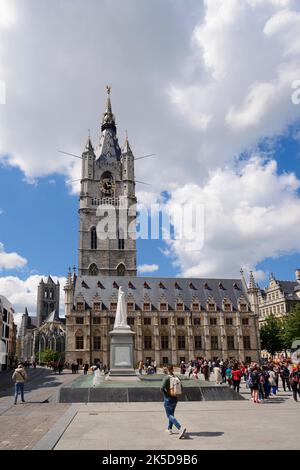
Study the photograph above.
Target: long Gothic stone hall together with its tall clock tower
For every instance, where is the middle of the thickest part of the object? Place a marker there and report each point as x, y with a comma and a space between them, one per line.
174, 319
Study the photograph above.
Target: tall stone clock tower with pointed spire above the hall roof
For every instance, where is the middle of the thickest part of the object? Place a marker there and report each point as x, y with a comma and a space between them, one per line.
107, 209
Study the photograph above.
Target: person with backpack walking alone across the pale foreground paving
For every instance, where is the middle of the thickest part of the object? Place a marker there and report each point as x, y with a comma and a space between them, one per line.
172, 388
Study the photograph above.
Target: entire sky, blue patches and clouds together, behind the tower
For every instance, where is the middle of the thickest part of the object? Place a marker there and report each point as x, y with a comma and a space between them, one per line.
206, 86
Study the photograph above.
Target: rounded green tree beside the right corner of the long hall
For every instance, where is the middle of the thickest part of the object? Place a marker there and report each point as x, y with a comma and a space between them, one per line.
271, 335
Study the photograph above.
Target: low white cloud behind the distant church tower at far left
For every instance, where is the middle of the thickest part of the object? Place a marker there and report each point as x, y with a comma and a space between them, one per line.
23, 293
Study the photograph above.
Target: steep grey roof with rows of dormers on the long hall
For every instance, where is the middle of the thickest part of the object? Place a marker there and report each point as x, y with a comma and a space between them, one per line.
171, 289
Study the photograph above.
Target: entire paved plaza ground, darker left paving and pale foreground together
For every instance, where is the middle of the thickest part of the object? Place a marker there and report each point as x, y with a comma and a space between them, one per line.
42, 423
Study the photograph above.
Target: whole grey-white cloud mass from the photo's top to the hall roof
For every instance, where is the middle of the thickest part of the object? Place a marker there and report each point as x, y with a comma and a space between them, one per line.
211, 83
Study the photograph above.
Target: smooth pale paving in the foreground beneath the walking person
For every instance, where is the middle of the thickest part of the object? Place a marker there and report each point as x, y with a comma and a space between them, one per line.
211, 425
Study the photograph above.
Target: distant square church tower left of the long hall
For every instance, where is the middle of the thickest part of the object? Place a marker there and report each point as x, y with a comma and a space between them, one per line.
47, 299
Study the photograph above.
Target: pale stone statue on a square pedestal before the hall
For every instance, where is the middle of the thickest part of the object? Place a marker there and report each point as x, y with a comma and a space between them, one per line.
121, 343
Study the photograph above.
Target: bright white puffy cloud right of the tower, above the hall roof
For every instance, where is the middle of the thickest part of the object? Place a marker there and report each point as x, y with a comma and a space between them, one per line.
242, 226
